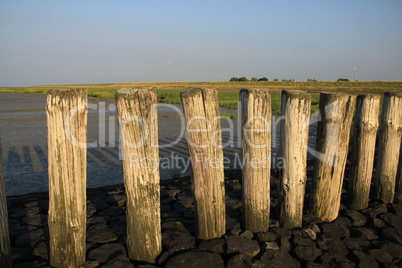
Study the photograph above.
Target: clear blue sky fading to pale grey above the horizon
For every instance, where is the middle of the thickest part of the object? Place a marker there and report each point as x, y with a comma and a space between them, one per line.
101, 41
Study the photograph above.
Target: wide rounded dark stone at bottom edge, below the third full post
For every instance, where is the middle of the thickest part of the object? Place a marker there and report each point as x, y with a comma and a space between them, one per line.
196, 259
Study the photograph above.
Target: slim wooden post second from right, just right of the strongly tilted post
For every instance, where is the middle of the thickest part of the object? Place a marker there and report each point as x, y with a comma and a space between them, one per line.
364, 139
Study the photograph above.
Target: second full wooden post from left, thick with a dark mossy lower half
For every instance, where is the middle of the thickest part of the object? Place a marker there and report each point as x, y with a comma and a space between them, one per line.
139, 140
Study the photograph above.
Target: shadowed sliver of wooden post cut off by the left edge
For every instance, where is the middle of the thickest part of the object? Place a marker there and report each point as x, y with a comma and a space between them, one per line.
5, 246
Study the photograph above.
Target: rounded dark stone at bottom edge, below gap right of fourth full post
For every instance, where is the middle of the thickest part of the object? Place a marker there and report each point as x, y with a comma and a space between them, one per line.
278, 259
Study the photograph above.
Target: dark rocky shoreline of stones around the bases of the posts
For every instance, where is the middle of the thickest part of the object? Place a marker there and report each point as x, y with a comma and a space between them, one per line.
368, 238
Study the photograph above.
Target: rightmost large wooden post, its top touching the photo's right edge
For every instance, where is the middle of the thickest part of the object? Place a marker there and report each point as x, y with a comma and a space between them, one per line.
388, 148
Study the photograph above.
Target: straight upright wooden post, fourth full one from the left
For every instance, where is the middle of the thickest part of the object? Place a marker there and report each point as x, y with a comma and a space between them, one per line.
256, 154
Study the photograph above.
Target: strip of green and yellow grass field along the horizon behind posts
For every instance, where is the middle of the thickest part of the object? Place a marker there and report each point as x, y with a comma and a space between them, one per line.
169, 92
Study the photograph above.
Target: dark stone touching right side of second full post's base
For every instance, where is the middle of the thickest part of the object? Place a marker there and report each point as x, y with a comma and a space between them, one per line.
175, 240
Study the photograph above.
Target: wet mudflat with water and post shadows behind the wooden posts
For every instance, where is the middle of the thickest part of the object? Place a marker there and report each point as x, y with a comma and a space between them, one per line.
23, 134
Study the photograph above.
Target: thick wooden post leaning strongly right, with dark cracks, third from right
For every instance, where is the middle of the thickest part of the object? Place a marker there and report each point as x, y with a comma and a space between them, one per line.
336, 112
